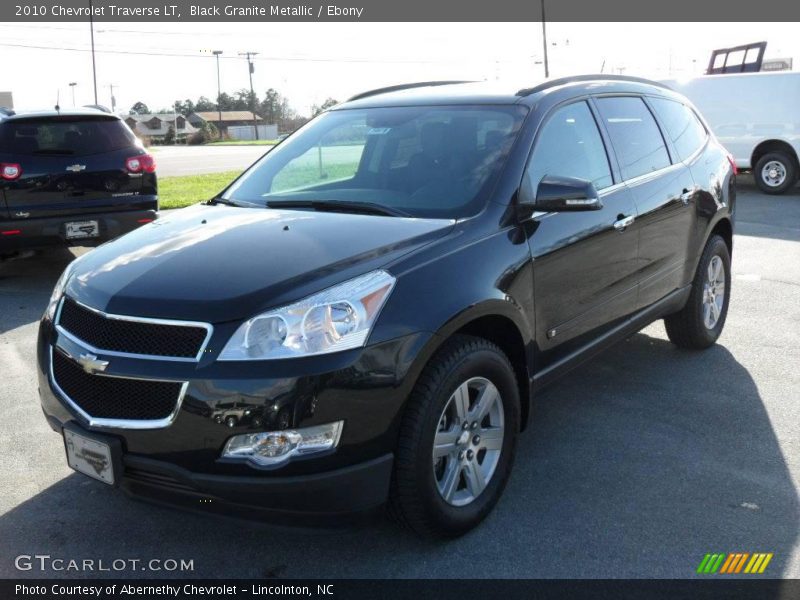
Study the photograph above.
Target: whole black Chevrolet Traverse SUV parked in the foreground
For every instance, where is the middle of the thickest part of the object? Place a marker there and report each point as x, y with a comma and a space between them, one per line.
364, 315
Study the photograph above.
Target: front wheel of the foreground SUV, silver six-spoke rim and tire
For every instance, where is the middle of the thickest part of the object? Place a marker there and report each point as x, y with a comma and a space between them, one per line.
457, 440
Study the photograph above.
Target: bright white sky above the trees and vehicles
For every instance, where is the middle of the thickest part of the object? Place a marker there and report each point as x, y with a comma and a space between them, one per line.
307, 62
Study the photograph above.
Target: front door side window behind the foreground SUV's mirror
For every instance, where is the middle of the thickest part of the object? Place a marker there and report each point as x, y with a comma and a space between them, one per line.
570, 145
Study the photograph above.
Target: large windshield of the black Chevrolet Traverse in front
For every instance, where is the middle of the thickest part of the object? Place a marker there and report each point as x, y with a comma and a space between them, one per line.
431, 161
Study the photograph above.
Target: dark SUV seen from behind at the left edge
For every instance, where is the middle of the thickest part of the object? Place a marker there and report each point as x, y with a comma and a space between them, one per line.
75, 176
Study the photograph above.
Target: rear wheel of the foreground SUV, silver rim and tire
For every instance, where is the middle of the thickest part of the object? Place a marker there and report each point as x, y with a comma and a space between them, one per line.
700, 322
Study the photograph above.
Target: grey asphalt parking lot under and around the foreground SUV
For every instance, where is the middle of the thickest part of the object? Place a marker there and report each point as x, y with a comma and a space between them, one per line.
635, 465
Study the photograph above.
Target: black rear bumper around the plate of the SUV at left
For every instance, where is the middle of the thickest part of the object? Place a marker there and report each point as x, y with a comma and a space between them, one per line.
50, 231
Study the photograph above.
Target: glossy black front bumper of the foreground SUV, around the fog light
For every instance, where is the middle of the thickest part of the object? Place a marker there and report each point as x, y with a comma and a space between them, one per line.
180, 464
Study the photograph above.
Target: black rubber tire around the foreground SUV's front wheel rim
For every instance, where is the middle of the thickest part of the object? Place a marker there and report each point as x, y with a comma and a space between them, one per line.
415, 500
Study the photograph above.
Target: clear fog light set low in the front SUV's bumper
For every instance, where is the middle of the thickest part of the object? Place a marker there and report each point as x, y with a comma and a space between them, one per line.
271, 448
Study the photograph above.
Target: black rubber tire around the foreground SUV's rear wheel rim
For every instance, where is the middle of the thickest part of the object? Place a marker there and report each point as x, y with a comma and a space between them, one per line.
686, 328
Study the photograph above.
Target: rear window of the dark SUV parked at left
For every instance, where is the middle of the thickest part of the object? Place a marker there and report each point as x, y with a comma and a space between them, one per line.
65, 136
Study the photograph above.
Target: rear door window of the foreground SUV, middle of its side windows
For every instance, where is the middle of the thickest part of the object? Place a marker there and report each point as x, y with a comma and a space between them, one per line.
634, 134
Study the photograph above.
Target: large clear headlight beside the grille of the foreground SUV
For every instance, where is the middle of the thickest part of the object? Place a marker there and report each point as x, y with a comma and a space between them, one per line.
339, 318
